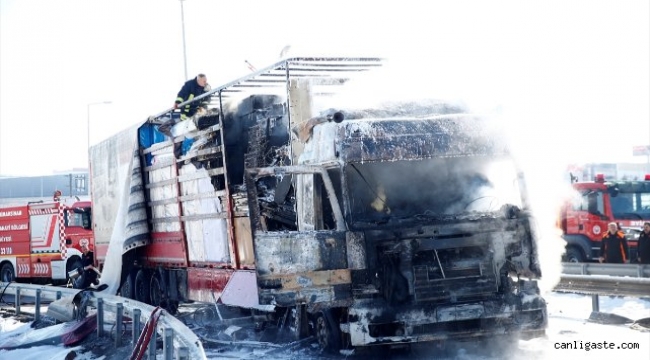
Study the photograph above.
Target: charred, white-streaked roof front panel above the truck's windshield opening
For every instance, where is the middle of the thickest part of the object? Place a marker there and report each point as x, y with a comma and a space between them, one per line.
392, 140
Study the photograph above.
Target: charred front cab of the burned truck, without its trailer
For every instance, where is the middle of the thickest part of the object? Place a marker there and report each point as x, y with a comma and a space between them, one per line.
409, 229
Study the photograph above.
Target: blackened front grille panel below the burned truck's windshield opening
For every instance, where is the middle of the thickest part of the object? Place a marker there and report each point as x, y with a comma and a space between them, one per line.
452, 262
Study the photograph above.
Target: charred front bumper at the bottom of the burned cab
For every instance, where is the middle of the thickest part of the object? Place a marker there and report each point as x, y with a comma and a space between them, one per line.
374, 323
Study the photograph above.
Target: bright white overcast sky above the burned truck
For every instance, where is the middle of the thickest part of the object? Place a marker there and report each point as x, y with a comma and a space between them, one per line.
572, 76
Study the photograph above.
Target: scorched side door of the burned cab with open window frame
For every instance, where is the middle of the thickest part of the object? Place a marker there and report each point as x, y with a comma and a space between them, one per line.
308, 264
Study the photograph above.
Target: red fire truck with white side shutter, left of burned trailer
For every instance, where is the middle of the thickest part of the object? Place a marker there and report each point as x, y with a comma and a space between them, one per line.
40, 241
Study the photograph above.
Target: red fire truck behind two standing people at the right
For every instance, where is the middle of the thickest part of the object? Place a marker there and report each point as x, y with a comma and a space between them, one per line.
584, 217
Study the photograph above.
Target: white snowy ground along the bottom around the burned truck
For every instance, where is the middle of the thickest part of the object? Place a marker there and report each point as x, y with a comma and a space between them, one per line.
568, 314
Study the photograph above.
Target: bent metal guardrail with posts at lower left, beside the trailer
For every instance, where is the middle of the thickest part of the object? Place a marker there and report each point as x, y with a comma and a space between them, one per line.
174, 332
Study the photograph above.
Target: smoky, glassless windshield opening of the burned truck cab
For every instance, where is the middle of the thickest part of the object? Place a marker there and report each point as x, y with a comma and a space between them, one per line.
440, 186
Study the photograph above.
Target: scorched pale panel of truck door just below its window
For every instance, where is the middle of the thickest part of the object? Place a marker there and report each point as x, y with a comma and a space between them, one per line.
299, 252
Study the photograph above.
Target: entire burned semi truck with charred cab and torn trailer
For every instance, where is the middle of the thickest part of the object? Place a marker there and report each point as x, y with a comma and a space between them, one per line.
393, 225
